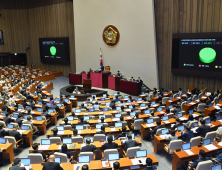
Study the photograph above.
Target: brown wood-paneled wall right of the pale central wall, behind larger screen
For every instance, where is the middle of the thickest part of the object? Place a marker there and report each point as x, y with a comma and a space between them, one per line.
184, 16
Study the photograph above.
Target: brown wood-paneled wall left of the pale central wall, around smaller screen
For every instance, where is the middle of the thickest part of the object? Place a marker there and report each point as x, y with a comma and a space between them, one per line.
24, 22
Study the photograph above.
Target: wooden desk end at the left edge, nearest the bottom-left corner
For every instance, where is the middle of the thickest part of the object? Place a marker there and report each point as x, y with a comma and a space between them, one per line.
8, 152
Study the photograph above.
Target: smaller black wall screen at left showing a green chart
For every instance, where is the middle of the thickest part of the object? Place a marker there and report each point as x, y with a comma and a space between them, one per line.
54, 50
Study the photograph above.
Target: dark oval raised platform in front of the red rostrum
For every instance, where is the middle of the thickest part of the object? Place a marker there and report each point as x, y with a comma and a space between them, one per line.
67, 90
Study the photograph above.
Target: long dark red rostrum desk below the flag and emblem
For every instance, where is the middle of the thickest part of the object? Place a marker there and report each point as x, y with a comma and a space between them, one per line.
105, 80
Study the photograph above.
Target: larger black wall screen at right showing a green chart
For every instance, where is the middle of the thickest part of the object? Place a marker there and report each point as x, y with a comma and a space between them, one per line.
197, 54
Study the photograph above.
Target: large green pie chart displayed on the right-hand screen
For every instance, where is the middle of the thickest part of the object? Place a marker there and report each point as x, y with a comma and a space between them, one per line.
207, 55
